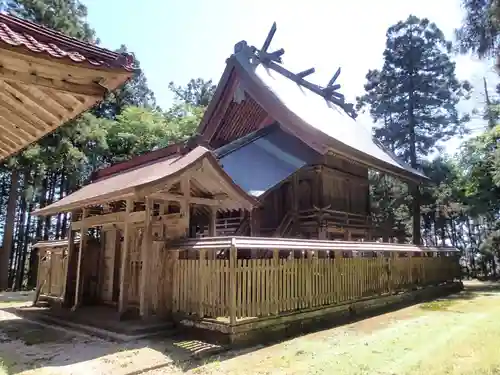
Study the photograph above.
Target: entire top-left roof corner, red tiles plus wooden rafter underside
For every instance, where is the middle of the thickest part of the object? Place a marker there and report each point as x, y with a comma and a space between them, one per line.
47, 78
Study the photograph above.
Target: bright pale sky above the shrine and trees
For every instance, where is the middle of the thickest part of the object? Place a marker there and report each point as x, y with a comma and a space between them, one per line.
180, 40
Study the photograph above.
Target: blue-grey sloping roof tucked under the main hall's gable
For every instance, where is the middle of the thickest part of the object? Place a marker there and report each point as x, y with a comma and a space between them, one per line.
273, 154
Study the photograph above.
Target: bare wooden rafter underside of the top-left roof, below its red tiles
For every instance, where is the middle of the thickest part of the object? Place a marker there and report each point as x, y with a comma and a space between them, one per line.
38, 94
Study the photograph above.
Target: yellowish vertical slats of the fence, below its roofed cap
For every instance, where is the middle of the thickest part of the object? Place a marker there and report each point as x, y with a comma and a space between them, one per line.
272, 286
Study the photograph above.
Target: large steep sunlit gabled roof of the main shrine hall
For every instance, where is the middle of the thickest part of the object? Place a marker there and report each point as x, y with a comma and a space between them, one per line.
316, 121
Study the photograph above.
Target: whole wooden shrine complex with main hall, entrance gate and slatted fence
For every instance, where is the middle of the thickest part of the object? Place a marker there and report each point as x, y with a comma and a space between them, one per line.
237, 224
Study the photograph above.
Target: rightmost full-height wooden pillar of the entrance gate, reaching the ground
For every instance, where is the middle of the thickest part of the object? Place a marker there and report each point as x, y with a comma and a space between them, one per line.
146, 250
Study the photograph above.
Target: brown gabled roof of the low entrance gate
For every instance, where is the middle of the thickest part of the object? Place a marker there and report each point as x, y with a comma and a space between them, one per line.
204, 169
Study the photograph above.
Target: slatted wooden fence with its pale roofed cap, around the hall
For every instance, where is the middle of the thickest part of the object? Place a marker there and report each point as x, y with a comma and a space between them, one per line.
309, 277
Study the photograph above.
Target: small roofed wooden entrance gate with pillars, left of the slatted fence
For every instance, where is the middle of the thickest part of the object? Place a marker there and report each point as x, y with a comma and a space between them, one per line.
133, 210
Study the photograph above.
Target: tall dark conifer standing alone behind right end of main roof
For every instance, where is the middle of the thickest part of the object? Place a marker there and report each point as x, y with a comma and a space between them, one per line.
414, 97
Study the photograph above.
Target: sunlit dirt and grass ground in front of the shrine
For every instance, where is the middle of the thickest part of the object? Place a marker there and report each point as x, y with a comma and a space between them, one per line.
456, 335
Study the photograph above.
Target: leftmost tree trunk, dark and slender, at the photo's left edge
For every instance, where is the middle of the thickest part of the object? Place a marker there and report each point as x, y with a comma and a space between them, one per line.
8, 230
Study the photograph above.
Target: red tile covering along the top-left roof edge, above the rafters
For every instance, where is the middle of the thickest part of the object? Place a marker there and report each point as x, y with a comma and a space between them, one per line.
24, 35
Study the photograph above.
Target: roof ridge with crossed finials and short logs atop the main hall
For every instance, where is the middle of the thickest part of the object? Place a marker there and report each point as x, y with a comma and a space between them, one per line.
272, 59
